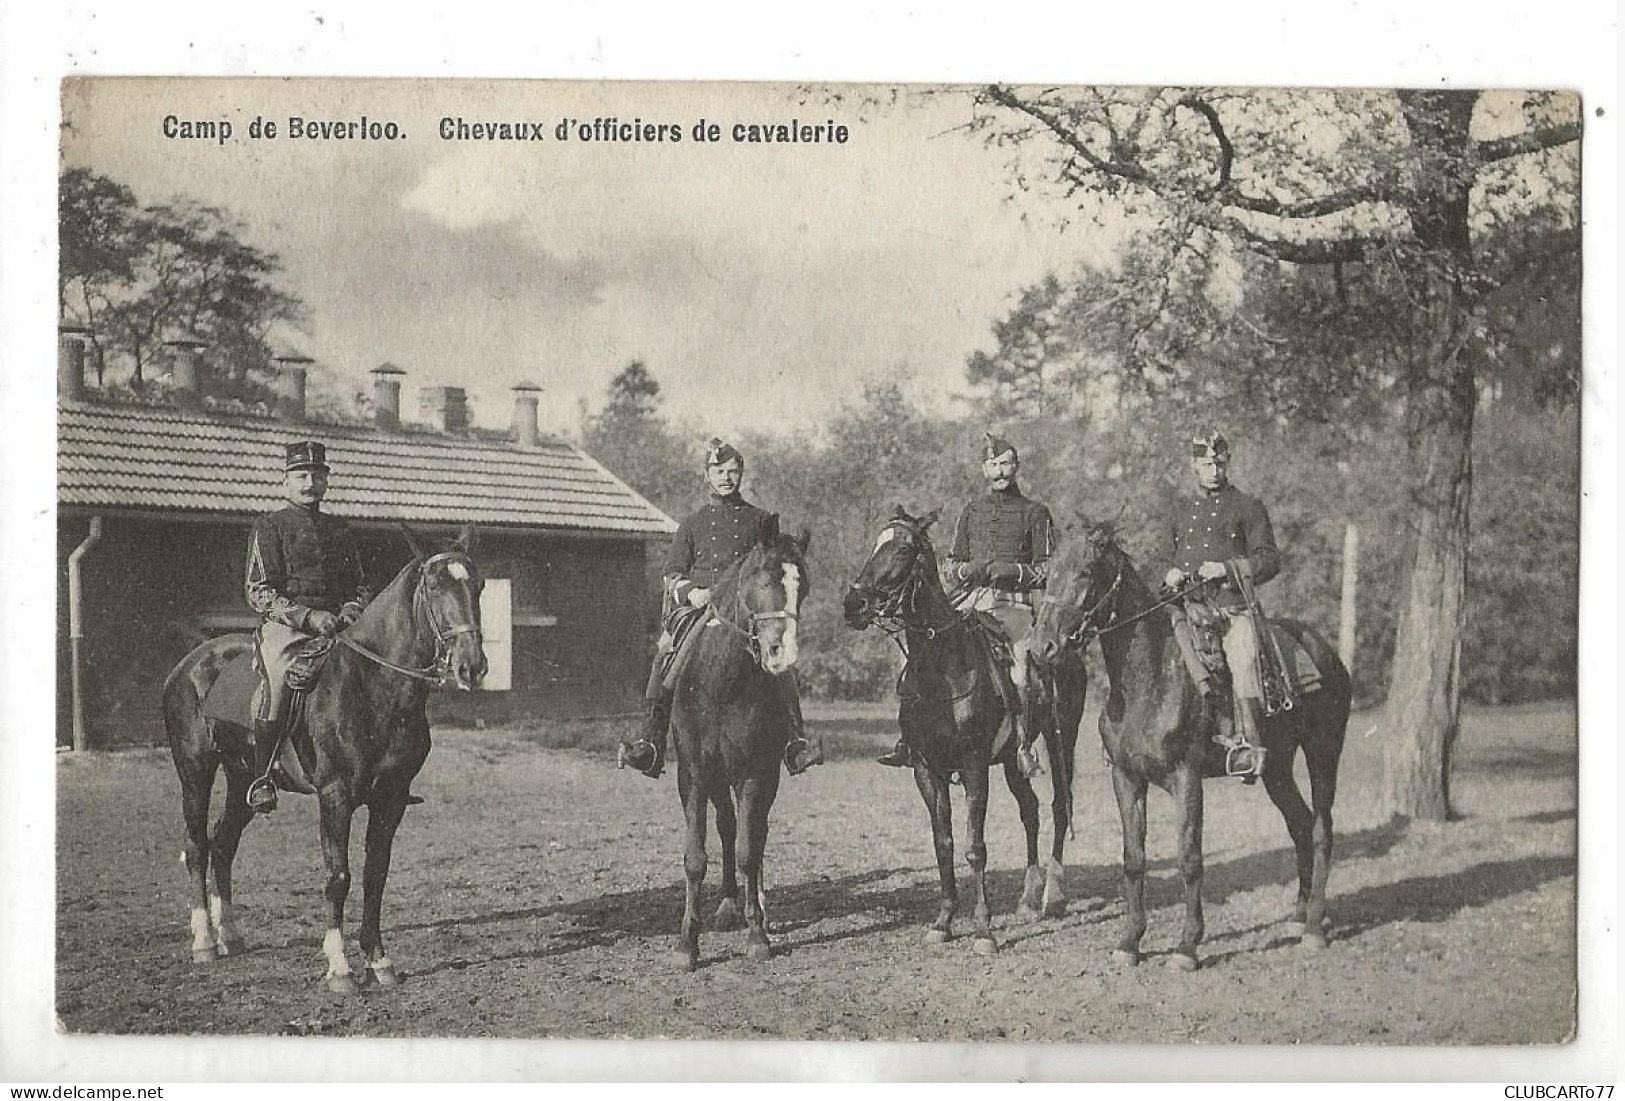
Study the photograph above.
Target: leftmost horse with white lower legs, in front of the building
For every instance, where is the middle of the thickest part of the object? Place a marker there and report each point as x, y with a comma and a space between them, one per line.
365, 738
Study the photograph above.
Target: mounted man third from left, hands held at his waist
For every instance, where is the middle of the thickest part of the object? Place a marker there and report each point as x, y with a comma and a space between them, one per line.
997, 564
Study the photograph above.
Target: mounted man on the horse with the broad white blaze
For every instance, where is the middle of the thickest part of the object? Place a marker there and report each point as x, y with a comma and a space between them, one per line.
706, 546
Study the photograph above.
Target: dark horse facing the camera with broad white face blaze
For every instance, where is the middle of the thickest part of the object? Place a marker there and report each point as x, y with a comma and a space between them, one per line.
730, 728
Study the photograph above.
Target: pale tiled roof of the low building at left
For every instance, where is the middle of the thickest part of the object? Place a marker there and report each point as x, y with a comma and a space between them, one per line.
173, 460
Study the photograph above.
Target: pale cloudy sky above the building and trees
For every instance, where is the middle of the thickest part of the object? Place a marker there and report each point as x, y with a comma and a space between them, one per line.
763, 285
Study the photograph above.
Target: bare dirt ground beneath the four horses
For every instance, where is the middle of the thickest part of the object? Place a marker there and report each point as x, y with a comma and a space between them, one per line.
539, 892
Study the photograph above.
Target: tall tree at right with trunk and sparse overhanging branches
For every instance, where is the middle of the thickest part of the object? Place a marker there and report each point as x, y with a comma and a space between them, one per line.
1395, 184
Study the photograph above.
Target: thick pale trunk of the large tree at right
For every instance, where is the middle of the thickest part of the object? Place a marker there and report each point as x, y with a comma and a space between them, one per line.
1424, 696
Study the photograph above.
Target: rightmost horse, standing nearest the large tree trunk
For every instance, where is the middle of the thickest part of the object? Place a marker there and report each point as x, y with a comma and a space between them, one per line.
1158, 728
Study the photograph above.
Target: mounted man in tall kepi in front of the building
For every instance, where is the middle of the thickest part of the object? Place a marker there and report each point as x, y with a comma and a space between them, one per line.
305, 579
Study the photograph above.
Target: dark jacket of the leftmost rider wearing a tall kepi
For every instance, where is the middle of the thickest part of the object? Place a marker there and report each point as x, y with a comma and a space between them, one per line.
303, 561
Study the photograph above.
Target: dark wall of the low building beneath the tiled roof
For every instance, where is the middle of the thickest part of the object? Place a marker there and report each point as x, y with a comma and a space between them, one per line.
155, 589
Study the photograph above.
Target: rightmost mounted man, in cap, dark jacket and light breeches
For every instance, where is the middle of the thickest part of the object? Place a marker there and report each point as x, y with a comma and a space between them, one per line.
1221, 537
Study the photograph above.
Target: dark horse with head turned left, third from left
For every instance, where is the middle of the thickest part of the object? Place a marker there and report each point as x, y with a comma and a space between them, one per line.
953, 717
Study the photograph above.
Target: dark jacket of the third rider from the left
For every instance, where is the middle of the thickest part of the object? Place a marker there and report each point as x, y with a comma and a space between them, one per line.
1013, 533
